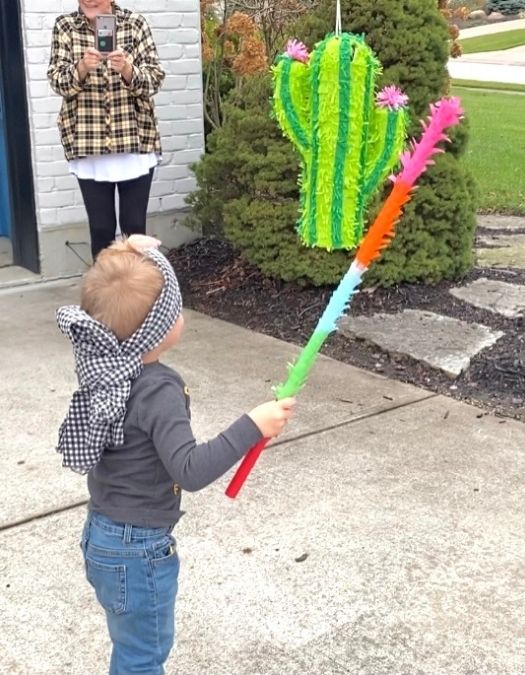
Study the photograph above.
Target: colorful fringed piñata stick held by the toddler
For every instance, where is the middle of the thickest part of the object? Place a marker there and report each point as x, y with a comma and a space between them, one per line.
444, 114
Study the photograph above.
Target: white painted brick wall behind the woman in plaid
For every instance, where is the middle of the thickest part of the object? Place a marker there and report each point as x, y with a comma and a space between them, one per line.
178, 104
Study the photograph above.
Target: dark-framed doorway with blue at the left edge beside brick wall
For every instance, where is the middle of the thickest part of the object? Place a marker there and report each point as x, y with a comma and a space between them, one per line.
18, 230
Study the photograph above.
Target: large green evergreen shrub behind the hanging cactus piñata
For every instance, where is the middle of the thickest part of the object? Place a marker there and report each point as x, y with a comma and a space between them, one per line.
248, 180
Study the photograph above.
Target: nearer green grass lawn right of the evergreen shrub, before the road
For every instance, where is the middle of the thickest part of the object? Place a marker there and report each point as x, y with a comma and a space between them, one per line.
496, 151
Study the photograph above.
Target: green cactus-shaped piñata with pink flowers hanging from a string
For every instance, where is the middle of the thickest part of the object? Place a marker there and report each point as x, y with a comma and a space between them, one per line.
348, 140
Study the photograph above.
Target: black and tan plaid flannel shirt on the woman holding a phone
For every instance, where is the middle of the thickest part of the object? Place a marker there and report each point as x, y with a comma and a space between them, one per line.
102, 114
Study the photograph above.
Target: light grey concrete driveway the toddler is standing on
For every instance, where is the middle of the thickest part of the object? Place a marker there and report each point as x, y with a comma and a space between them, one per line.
383, 535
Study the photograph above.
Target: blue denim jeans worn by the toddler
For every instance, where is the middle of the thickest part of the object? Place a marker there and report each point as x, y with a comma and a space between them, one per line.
134, 572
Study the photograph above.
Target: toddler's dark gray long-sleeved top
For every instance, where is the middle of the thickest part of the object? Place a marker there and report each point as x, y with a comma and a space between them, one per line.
140, 482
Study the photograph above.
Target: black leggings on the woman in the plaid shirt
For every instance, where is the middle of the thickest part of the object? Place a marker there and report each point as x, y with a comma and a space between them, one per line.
99, 200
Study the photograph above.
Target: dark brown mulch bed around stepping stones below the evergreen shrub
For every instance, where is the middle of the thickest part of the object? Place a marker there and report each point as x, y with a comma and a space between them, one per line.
219, 282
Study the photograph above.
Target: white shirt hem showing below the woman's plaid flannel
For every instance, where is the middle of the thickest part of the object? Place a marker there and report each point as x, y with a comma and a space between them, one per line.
113, 168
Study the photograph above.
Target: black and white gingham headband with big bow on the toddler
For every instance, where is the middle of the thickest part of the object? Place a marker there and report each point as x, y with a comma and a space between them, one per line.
106, 368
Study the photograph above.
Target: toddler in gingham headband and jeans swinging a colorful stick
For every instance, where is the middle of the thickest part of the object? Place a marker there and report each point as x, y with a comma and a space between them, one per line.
128, 428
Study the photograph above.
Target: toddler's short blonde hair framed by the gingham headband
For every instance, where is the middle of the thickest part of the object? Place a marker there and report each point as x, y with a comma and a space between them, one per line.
121, 288
